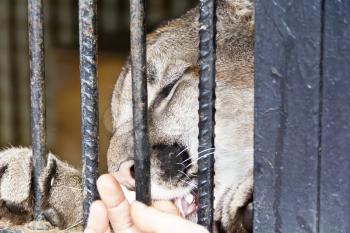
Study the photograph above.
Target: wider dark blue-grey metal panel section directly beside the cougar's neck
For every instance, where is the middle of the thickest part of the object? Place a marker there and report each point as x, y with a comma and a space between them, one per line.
287, 106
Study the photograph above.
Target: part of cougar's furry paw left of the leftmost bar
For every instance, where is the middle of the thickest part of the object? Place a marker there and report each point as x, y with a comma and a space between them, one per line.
15, 186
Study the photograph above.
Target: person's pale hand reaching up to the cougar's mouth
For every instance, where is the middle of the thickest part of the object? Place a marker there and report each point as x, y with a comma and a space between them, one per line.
136, 217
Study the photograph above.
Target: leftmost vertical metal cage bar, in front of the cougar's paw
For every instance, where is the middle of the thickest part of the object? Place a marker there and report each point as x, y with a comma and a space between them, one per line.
37, 83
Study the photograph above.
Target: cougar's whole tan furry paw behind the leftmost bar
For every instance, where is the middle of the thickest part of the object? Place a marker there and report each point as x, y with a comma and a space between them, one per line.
61, 188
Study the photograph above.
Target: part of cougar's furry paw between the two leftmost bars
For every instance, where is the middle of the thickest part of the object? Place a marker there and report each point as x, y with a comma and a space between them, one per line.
61, 185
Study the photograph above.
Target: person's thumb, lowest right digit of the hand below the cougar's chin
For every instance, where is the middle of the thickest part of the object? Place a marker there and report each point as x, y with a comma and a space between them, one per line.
151, 220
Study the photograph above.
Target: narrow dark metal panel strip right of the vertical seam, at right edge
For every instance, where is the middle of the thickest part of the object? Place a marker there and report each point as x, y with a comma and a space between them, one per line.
335, 160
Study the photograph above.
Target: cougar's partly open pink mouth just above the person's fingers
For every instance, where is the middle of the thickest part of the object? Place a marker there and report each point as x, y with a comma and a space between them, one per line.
187, 205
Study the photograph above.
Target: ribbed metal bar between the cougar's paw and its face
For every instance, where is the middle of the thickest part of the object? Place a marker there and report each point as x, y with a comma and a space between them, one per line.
89, 100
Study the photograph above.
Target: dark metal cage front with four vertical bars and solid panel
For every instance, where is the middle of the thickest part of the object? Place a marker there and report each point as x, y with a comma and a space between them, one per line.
302, 108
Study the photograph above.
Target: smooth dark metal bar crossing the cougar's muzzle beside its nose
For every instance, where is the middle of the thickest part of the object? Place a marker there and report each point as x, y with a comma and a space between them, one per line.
139, 99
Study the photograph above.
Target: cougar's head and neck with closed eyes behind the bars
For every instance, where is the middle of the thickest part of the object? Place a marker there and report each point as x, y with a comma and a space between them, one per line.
172, 77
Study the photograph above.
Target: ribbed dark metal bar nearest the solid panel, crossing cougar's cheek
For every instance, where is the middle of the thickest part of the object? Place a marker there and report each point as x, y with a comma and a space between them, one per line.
206, 123
